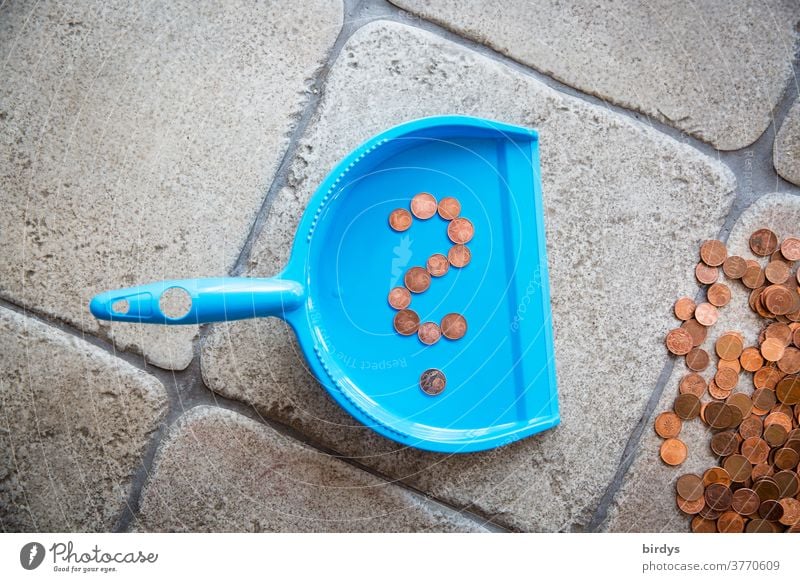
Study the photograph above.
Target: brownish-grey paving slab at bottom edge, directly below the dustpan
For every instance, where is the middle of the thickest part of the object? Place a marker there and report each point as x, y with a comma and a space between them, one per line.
220, 471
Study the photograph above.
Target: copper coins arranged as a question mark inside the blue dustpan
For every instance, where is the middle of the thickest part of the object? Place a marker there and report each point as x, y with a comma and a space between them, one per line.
418, 279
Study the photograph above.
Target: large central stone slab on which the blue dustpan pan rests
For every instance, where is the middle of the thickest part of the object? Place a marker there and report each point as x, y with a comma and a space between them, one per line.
624, 205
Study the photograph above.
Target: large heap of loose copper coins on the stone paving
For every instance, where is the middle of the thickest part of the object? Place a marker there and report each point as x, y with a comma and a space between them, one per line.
754, 431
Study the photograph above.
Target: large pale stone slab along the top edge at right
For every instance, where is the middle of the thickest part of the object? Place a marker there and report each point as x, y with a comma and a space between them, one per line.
712, 69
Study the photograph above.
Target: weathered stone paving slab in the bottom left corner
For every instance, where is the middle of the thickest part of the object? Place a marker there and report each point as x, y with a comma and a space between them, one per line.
74, 423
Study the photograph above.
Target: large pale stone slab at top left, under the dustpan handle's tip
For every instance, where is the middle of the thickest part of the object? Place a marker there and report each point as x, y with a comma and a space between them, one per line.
137, 142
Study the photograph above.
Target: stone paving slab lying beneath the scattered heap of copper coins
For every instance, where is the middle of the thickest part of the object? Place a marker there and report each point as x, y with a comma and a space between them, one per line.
646, 501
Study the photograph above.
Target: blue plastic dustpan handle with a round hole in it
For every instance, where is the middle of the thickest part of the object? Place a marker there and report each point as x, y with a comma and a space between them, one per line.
212, 300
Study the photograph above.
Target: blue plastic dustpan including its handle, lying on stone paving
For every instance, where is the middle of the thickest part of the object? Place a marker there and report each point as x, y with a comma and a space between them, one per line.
501, 383
